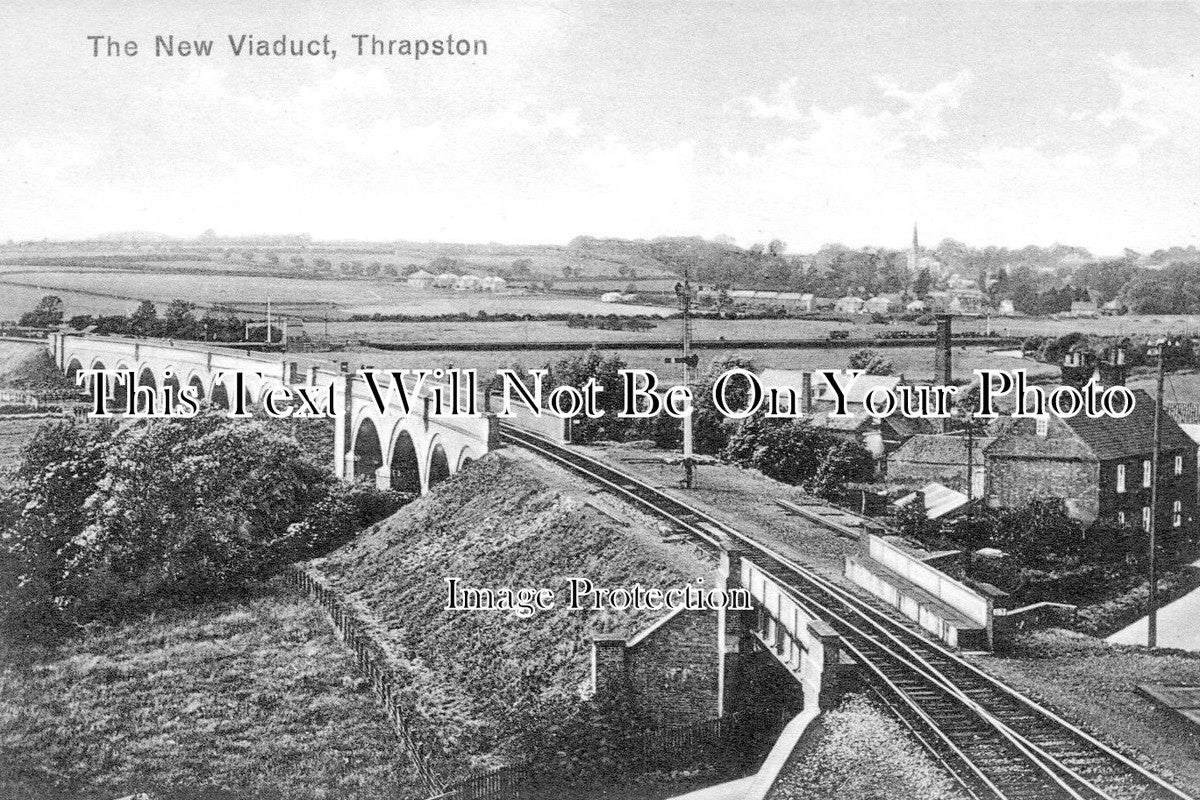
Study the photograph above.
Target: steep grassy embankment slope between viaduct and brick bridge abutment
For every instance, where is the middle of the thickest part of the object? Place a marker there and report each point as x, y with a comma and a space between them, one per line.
507, 521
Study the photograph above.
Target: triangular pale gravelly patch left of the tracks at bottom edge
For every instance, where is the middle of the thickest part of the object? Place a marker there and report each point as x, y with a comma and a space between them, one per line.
857, 753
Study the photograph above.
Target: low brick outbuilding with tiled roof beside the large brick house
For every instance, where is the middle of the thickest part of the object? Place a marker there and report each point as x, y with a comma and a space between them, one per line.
941, 459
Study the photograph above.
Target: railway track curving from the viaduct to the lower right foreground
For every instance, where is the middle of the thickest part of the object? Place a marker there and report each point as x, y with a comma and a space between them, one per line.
995, 742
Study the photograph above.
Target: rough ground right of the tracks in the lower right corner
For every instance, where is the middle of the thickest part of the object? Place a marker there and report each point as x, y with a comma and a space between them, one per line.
1093, 684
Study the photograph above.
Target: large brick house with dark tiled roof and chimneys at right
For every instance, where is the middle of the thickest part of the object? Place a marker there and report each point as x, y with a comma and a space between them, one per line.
1101, 468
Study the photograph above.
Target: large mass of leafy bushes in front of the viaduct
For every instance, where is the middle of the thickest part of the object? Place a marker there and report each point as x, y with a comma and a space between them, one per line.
103, 518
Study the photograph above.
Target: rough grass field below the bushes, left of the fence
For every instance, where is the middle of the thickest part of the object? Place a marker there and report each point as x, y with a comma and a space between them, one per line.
248, 699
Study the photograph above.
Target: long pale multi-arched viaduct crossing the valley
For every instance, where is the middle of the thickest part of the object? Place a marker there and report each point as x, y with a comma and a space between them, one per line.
410, 453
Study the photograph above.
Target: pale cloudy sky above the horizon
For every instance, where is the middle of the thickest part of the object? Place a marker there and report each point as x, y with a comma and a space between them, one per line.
812, 123
